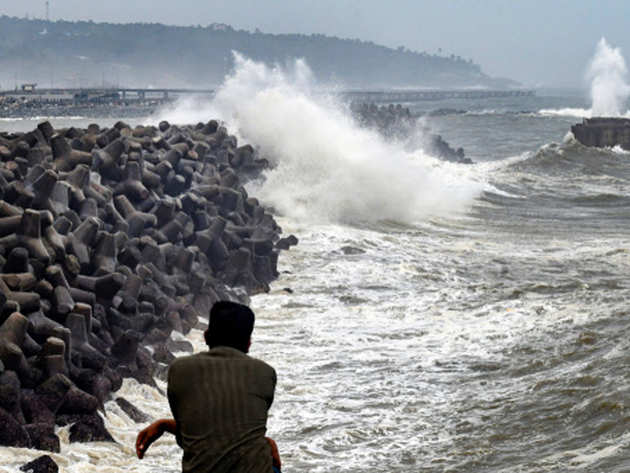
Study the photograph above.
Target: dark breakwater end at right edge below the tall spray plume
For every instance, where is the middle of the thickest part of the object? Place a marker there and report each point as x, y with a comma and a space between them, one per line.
603, 132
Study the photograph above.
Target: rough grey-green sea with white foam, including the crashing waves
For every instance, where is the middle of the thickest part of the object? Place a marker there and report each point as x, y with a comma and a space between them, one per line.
434, 317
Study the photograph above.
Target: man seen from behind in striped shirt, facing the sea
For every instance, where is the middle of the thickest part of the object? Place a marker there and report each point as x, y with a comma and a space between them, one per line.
219, 400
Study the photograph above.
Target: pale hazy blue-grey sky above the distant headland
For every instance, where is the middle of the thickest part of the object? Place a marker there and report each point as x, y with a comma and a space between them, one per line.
539, 42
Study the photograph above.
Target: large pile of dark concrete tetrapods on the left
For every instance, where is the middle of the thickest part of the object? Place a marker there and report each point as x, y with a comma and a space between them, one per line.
111, 240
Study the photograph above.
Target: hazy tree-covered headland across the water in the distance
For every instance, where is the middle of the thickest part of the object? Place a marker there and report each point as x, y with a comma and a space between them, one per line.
88, 54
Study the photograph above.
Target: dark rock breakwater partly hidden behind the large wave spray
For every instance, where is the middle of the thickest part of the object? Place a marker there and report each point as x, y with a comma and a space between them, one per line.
398, 123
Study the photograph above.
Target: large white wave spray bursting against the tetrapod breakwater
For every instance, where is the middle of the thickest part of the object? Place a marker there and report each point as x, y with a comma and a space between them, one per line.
324, 166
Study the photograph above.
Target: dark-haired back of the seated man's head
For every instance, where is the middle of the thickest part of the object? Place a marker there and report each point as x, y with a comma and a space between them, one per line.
231, 325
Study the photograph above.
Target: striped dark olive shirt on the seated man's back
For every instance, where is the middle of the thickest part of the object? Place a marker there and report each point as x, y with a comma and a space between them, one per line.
220, 399
